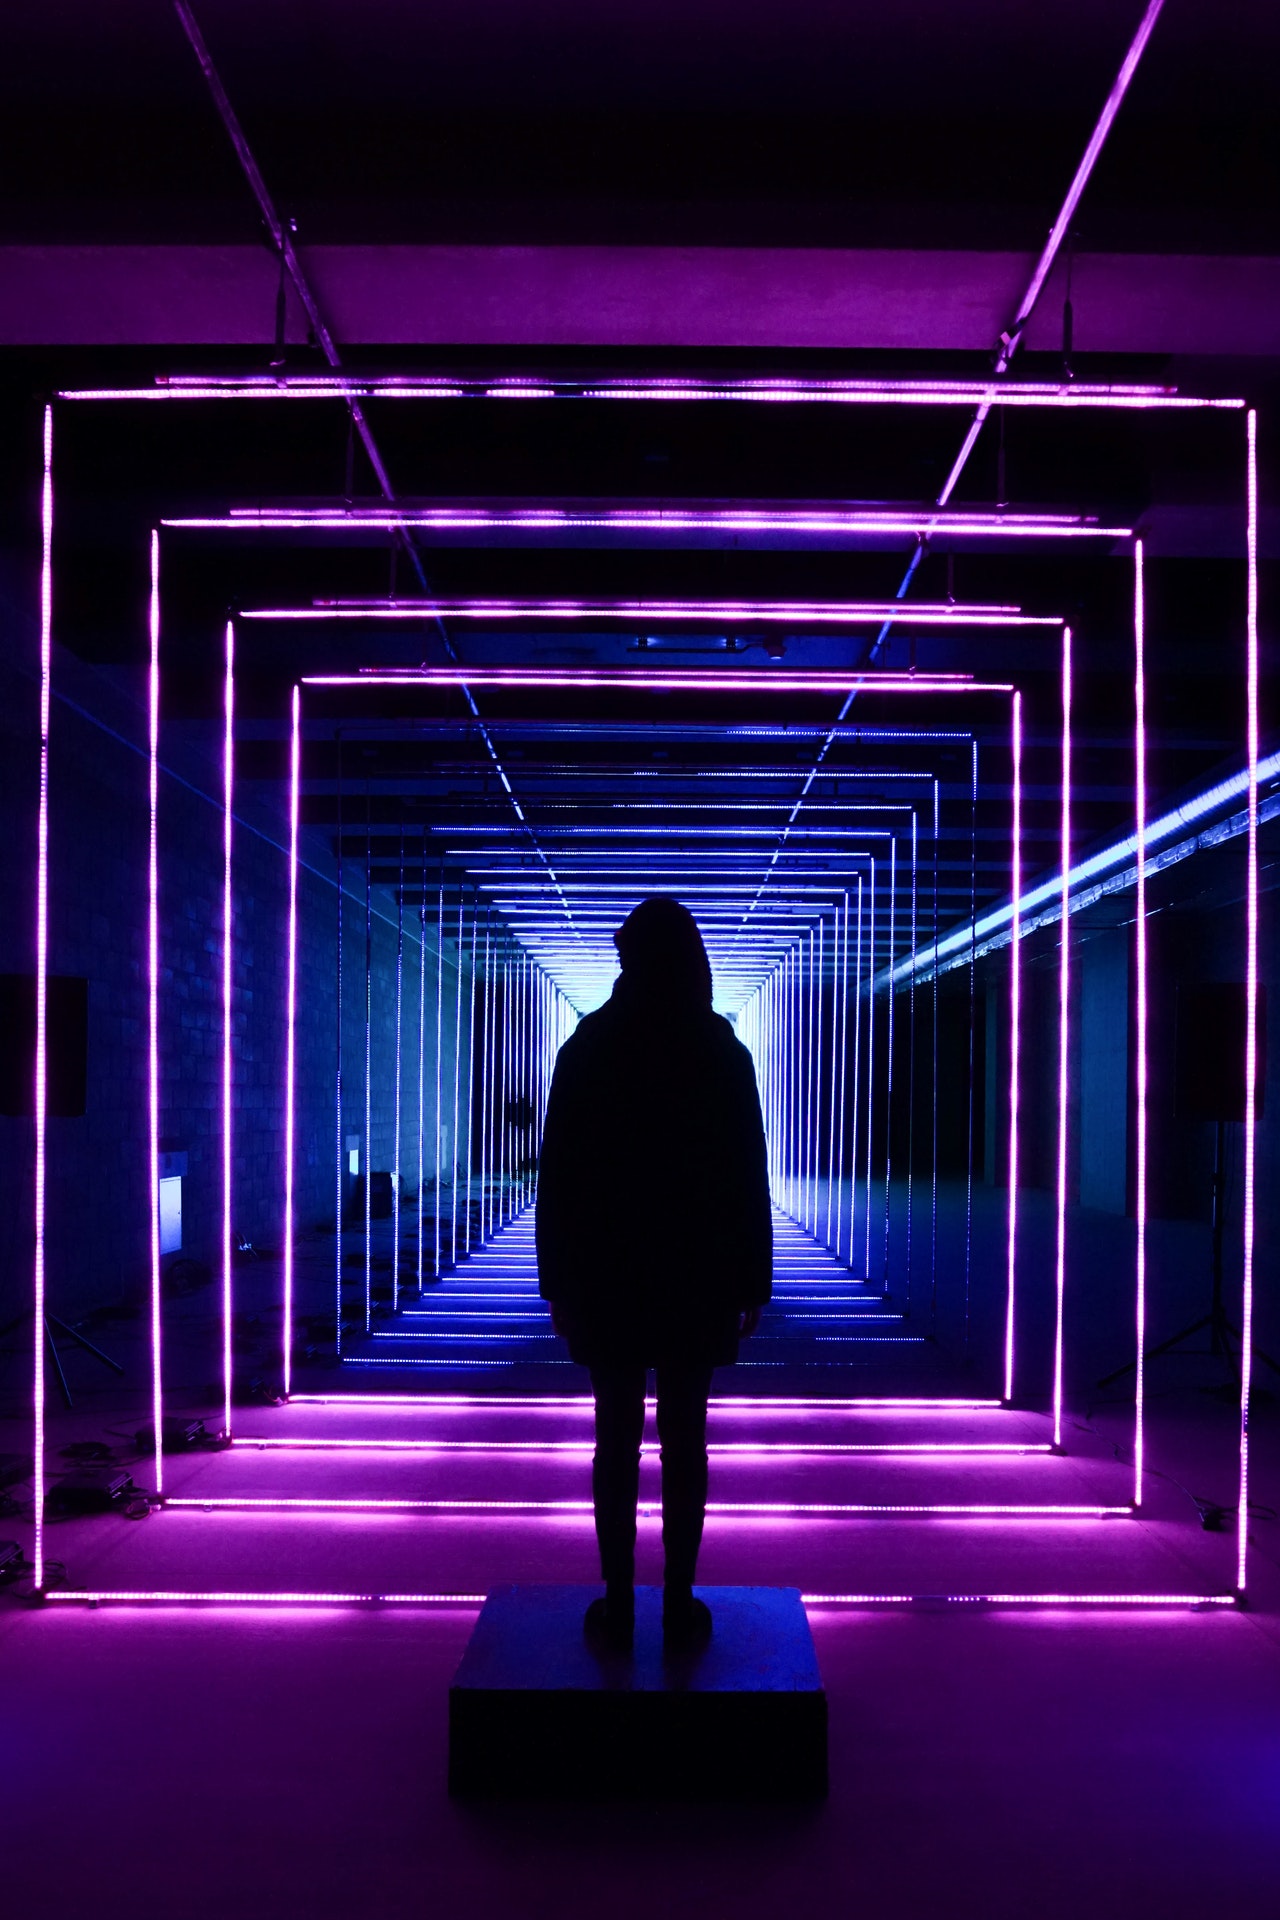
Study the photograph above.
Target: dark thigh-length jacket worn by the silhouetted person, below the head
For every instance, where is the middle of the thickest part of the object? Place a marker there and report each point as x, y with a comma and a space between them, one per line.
653, 1197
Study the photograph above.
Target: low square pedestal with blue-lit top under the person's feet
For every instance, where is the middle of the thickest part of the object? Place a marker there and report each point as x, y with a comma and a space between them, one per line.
538, 1714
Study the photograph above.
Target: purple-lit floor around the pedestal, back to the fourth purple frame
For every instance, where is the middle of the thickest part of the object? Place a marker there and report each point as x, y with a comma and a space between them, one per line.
291, 1762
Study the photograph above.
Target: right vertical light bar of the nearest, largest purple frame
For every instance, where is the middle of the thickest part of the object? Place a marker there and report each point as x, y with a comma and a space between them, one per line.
1250, 1032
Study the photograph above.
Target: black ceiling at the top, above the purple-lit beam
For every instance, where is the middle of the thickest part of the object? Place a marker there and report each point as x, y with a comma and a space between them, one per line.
782, 122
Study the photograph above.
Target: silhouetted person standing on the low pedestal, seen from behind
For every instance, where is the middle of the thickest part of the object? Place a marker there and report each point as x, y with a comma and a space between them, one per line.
655, 1239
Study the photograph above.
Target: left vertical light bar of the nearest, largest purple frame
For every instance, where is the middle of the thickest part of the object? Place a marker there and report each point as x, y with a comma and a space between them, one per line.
41, 1063
